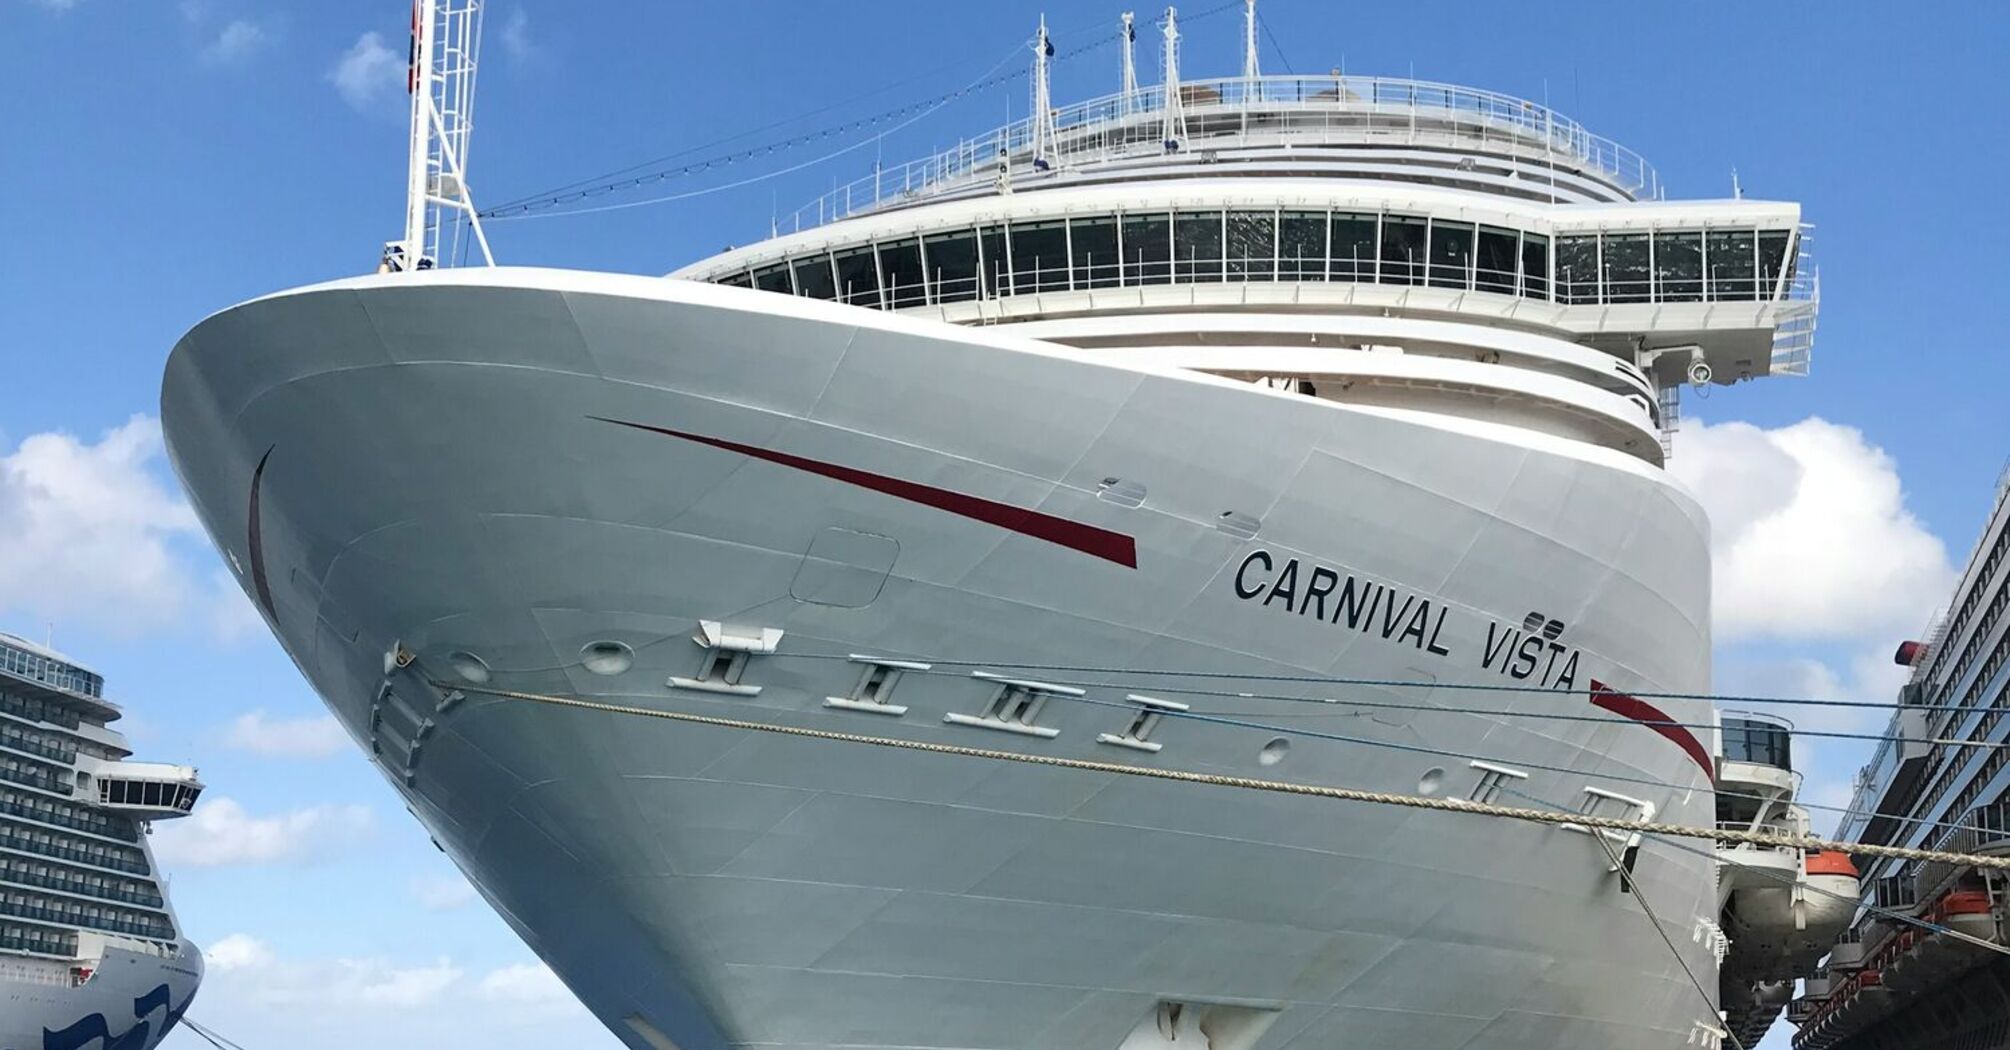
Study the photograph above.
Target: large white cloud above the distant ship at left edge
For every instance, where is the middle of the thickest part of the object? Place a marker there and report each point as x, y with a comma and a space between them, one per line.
93, 534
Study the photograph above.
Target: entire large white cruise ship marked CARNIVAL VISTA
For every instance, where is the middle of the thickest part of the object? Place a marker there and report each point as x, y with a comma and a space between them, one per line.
869, 637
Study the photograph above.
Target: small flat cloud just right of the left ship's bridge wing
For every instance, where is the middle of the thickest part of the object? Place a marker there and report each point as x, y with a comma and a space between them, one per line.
224, 834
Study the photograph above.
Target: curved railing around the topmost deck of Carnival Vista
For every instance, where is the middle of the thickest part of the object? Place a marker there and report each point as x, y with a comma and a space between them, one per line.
1299, 110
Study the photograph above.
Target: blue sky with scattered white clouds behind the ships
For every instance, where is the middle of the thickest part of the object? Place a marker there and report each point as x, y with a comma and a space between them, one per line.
168, 160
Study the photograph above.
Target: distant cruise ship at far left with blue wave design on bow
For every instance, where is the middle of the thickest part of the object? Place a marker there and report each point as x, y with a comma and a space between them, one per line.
91, 956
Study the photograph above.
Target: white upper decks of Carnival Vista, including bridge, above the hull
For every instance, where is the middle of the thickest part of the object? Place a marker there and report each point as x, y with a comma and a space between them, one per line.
1384, 242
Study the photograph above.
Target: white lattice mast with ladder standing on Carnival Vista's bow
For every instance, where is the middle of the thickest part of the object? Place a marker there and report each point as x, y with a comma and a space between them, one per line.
445, 49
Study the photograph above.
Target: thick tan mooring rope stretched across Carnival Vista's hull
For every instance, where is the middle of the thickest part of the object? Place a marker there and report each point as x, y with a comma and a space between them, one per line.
1255, 783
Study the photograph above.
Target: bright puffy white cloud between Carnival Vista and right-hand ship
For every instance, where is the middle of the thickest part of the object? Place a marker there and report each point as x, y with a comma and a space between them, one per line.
1812, 534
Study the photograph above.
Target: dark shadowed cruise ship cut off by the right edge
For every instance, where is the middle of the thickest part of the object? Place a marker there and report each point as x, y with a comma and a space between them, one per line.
1923, 962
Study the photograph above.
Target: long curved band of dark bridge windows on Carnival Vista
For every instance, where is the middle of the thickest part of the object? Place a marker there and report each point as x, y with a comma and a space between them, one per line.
1139, 248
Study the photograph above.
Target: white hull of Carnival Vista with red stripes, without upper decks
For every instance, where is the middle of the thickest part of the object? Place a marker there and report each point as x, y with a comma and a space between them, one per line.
441, 488
